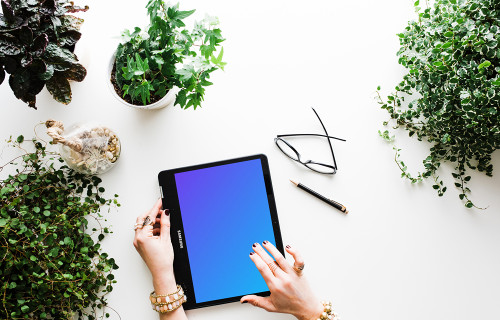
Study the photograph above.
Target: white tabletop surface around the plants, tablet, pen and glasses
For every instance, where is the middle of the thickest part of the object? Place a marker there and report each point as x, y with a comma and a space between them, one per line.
401, 253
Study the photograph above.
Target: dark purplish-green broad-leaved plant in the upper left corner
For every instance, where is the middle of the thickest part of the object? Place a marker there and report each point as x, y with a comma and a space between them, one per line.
36, 43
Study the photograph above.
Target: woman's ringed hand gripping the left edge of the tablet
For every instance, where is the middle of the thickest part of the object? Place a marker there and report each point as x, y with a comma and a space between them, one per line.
153, 244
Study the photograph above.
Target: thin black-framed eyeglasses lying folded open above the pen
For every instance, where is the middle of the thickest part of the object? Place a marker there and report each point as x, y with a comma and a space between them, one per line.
293, 154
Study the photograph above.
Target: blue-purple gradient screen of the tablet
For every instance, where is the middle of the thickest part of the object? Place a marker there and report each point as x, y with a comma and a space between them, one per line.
224, 211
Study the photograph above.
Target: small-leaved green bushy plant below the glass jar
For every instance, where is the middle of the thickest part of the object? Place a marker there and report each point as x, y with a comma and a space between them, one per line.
51, 267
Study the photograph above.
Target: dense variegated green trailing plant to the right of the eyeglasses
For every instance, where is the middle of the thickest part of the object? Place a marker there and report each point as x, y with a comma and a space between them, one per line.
452, 54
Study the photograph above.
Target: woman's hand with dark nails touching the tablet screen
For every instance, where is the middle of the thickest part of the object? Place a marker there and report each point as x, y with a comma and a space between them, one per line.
290, 292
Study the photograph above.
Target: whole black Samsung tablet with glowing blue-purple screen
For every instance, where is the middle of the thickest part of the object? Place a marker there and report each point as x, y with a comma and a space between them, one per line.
217, 211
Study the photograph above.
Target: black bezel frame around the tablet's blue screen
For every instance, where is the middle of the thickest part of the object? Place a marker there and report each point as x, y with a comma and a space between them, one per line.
170, 201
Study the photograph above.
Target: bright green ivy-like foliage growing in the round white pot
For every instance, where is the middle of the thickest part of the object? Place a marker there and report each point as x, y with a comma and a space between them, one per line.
168, 55
